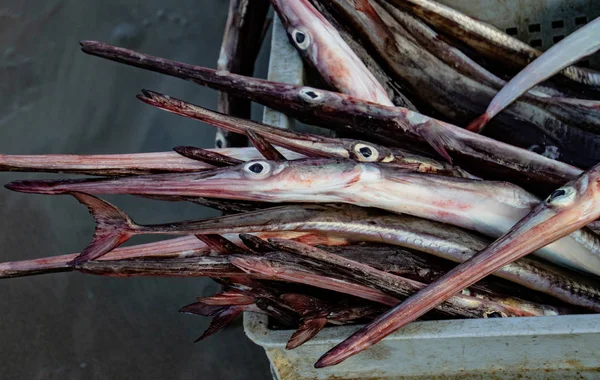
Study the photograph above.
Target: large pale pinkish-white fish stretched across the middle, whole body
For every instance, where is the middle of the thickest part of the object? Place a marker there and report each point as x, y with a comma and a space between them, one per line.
490, 208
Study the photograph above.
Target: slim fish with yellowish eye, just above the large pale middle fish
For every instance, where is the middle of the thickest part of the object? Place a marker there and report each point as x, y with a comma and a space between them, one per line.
305, 144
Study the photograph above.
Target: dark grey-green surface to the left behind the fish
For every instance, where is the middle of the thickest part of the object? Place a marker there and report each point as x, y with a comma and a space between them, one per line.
55, 99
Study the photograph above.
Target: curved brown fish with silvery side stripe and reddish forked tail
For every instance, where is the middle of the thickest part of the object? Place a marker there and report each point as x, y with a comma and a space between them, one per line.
347, 223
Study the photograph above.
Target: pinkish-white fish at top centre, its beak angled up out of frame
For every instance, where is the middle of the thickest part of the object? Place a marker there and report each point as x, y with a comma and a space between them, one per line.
323, 47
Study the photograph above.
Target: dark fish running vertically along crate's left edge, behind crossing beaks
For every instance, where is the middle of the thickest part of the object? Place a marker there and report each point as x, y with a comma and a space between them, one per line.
242, 39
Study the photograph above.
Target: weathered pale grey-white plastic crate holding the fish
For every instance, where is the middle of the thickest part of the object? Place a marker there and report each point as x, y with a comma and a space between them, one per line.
534, 348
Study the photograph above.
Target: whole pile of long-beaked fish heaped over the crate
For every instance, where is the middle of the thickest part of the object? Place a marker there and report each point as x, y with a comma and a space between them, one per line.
426, 204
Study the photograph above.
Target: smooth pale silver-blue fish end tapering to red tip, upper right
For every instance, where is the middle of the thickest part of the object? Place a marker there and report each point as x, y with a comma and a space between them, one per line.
576, 46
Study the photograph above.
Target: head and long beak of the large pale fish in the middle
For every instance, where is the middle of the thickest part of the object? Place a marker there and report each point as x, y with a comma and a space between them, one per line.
261, 180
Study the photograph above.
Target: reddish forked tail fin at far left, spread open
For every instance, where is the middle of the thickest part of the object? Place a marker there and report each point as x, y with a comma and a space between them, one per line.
113, 227
